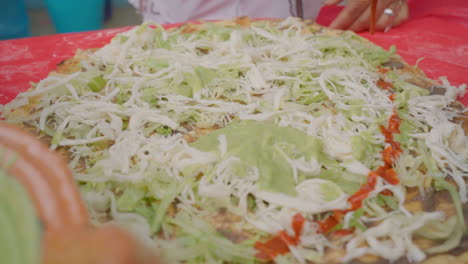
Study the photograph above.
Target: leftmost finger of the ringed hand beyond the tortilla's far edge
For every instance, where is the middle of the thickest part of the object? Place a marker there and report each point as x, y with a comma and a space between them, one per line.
349, 14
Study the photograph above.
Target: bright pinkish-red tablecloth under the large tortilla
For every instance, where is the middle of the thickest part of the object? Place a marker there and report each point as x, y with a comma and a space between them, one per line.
438, 32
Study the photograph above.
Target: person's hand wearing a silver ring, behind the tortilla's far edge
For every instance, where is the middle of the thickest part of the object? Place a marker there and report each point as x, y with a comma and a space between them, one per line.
356, 15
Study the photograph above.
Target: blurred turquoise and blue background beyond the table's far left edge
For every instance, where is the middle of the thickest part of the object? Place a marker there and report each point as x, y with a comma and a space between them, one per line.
25, 18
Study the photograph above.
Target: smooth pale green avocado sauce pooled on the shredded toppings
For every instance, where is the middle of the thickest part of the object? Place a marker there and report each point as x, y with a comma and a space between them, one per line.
266, 146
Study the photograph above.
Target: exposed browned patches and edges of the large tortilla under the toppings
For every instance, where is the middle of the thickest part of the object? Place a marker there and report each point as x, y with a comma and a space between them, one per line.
224, 222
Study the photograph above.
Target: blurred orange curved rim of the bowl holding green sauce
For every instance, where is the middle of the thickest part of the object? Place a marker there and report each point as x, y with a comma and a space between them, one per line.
46, 177
